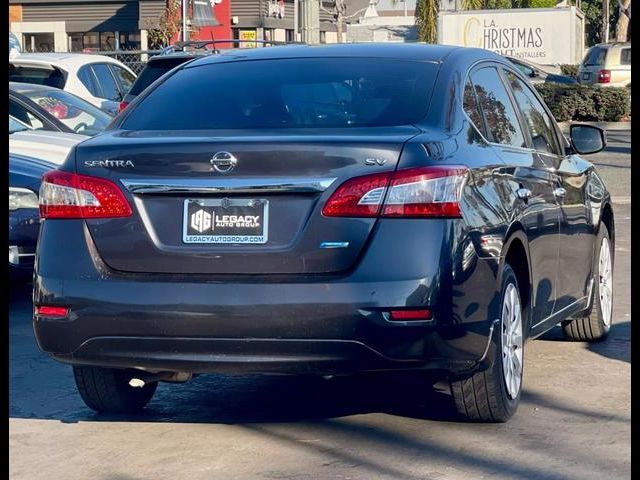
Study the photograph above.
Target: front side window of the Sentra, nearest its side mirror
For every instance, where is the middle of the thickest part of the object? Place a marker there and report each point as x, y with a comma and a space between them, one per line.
538, 121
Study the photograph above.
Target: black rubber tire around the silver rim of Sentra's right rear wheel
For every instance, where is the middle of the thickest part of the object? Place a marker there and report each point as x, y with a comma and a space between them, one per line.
483, 396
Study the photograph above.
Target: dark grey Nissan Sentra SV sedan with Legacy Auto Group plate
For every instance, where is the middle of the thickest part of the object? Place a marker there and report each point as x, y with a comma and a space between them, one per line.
324, 210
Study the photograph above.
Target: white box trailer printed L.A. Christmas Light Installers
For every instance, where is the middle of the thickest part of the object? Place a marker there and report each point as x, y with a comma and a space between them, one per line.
541, 35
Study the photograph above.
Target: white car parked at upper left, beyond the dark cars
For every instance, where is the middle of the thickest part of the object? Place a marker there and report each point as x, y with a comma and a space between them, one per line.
101, 80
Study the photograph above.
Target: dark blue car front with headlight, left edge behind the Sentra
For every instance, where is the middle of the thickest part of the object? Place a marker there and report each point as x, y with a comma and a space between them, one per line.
24, 218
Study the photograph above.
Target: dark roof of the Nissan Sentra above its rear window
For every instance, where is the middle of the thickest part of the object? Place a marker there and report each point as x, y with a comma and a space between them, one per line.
401, 51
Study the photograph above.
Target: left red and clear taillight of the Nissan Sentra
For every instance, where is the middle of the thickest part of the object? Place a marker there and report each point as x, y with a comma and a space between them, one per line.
69, 195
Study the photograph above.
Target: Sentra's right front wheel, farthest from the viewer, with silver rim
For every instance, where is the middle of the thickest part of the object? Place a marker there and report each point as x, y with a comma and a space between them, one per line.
596, 326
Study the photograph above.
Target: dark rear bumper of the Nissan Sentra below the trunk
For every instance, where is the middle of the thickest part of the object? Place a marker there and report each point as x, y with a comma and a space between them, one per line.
316, 325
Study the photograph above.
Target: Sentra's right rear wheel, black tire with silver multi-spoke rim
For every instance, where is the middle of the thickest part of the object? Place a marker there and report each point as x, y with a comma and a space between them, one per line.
493, 395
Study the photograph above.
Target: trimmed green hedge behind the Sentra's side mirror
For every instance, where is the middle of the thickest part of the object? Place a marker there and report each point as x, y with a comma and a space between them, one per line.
584, 103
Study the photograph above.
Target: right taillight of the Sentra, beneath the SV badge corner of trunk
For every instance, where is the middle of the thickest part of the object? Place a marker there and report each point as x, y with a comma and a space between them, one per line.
415, 192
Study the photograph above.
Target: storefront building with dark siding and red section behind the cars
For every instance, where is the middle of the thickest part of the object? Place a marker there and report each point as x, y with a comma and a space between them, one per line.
109, 25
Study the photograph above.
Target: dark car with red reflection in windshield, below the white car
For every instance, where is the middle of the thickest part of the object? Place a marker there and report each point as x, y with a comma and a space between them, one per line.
48, 108
